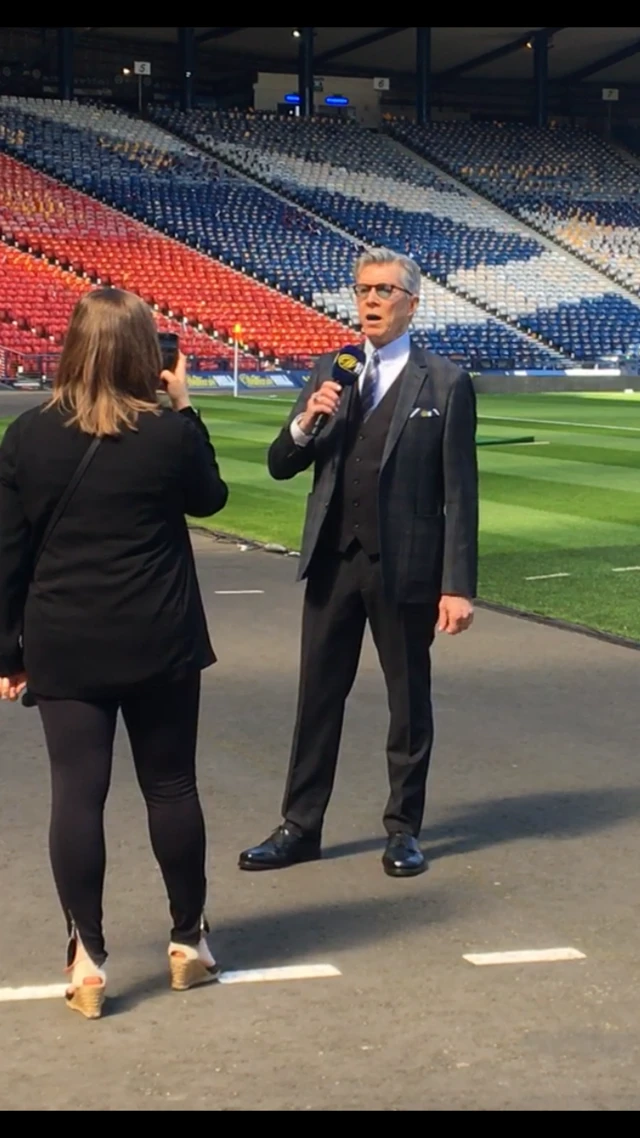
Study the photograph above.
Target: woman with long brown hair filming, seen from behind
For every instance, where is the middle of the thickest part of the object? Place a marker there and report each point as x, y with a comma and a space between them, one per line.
103, 614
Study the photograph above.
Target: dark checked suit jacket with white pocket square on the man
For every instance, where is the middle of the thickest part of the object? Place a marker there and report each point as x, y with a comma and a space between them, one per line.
429, 480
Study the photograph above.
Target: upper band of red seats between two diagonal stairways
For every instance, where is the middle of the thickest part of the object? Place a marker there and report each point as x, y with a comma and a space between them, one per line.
43, 217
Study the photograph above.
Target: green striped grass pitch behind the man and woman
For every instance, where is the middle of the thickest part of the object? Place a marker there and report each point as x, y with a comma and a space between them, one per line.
560, 517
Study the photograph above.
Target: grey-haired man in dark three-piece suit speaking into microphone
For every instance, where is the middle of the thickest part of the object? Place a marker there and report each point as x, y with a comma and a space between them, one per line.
391, 538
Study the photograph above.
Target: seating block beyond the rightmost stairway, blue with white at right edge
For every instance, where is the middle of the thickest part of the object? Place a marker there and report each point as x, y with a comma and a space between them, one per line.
569, 184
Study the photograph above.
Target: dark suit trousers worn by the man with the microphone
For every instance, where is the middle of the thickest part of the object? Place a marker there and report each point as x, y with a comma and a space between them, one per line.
343, 592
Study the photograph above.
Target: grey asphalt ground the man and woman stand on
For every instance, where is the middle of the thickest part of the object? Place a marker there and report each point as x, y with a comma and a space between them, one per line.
534, 835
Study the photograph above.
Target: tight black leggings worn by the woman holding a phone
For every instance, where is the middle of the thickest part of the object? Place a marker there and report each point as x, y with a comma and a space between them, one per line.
162, 724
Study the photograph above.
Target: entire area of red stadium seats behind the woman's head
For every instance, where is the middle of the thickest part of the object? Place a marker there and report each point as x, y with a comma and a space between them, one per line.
52, 221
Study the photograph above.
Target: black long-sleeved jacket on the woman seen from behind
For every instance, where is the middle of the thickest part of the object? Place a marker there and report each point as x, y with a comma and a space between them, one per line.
116, 603
